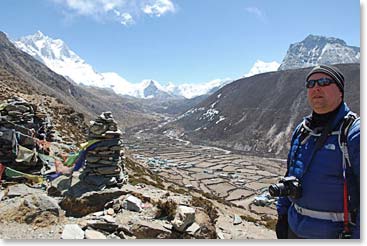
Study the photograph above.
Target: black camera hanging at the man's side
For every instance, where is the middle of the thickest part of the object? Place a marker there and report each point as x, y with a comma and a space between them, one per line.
288, 186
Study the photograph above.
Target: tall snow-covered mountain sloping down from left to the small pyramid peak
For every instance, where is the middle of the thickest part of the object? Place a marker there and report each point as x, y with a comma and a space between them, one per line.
56, 55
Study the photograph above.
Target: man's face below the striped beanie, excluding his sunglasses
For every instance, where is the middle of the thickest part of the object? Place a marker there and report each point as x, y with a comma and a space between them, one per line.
323, 99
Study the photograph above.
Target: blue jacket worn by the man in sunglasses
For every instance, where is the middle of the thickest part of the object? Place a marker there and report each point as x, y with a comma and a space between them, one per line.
322, 183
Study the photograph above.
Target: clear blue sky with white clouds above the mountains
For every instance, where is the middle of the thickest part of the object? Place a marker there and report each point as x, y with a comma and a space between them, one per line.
181, 41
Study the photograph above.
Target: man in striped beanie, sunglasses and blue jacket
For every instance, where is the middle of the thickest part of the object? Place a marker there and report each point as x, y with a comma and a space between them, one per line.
317, 203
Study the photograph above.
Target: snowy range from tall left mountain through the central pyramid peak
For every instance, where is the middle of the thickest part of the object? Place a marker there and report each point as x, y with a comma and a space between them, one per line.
56, 55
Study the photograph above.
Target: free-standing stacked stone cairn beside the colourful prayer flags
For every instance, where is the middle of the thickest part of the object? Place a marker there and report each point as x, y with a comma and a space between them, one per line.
104, 165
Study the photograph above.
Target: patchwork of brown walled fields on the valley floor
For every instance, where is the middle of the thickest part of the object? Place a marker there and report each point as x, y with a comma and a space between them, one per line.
239, 179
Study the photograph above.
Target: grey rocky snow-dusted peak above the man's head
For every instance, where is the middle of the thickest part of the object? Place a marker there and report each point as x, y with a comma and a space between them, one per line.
315, 50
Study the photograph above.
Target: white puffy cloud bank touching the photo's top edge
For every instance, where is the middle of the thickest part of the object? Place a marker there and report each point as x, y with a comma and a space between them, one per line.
123, 11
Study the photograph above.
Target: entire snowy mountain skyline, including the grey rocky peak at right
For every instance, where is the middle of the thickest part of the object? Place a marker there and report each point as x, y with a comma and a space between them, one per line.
60, 58
